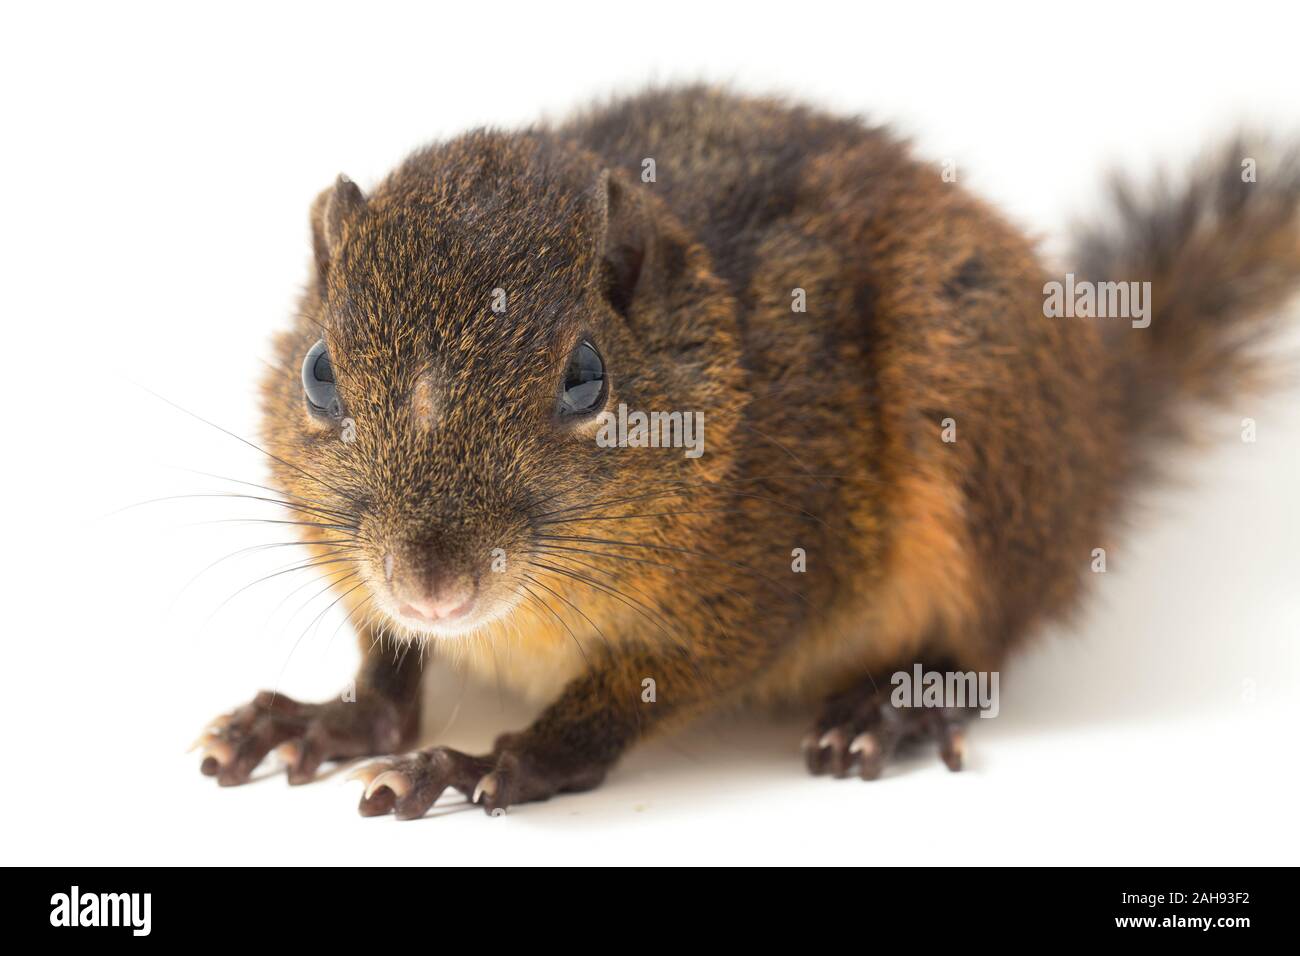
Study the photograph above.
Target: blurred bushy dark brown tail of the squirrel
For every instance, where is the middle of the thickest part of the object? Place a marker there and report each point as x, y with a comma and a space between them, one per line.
1223, 256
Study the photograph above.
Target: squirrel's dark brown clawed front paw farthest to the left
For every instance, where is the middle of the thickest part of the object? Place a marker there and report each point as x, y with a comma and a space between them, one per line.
305, 734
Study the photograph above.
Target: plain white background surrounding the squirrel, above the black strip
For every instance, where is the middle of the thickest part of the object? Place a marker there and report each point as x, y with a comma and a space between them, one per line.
159, 165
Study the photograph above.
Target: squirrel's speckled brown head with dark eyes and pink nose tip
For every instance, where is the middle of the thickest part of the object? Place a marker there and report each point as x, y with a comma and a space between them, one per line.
444, 404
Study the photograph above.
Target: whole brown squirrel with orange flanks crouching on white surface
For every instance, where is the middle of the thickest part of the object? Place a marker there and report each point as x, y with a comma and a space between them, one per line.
907, 458
